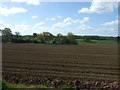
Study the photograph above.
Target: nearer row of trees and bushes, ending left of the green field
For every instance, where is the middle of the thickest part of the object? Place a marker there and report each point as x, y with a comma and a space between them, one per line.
45, 37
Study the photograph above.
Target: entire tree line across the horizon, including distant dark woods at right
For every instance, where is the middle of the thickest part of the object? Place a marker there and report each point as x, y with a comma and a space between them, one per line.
48, 38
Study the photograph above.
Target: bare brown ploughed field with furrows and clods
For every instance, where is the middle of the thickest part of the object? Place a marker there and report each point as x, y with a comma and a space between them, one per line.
80, 66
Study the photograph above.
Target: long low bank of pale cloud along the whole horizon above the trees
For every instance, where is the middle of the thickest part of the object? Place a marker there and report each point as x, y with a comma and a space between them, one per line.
60, 27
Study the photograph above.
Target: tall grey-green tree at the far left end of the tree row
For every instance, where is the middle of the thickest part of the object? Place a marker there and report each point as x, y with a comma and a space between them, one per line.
6, 35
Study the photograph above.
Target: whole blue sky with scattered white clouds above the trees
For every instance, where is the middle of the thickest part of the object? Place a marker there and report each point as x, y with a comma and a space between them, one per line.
80, 18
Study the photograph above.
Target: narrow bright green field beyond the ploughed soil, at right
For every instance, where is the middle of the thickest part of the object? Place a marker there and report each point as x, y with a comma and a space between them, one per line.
80, 41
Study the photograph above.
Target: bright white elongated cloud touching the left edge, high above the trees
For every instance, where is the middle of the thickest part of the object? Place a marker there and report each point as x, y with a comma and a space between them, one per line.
5, 11
